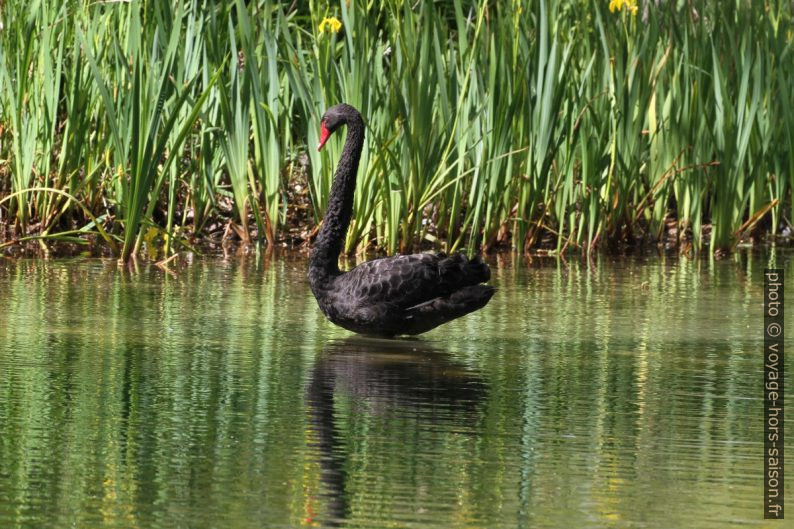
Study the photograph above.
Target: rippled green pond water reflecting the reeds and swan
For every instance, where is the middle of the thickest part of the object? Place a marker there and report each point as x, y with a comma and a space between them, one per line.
616, 393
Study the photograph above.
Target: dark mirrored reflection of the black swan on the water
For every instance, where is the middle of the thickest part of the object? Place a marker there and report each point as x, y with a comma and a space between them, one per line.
428, 391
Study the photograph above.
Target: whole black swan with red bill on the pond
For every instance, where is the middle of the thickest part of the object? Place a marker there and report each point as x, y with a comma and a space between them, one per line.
404, 294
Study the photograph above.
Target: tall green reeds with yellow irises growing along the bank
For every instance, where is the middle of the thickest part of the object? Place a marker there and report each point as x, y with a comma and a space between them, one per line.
567, 125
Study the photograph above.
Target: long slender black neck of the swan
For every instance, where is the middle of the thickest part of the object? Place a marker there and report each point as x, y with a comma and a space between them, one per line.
324, 261
